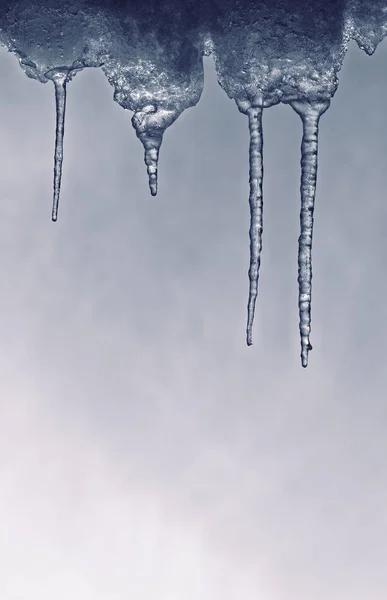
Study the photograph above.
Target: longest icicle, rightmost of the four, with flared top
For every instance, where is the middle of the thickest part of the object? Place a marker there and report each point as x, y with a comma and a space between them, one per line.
310, 114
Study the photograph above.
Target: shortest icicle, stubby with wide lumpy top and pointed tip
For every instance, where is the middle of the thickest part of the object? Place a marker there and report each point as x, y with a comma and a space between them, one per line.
150, 122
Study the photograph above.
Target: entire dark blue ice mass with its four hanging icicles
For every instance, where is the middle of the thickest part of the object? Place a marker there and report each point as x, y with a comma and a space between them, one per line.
265, 52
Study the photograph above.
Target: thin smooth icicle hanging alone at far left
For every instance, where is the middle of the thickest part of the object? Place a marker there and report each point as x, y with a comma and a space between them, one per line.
60, 80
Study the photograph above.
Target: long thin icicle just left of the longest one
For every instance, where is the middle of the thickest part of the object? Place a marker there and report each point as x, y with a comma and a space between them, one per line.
256, 211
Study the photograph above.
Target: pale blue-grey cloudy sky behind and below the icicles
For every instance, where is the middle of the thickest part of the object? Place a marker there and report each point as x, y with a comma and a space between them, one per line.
145, 451
